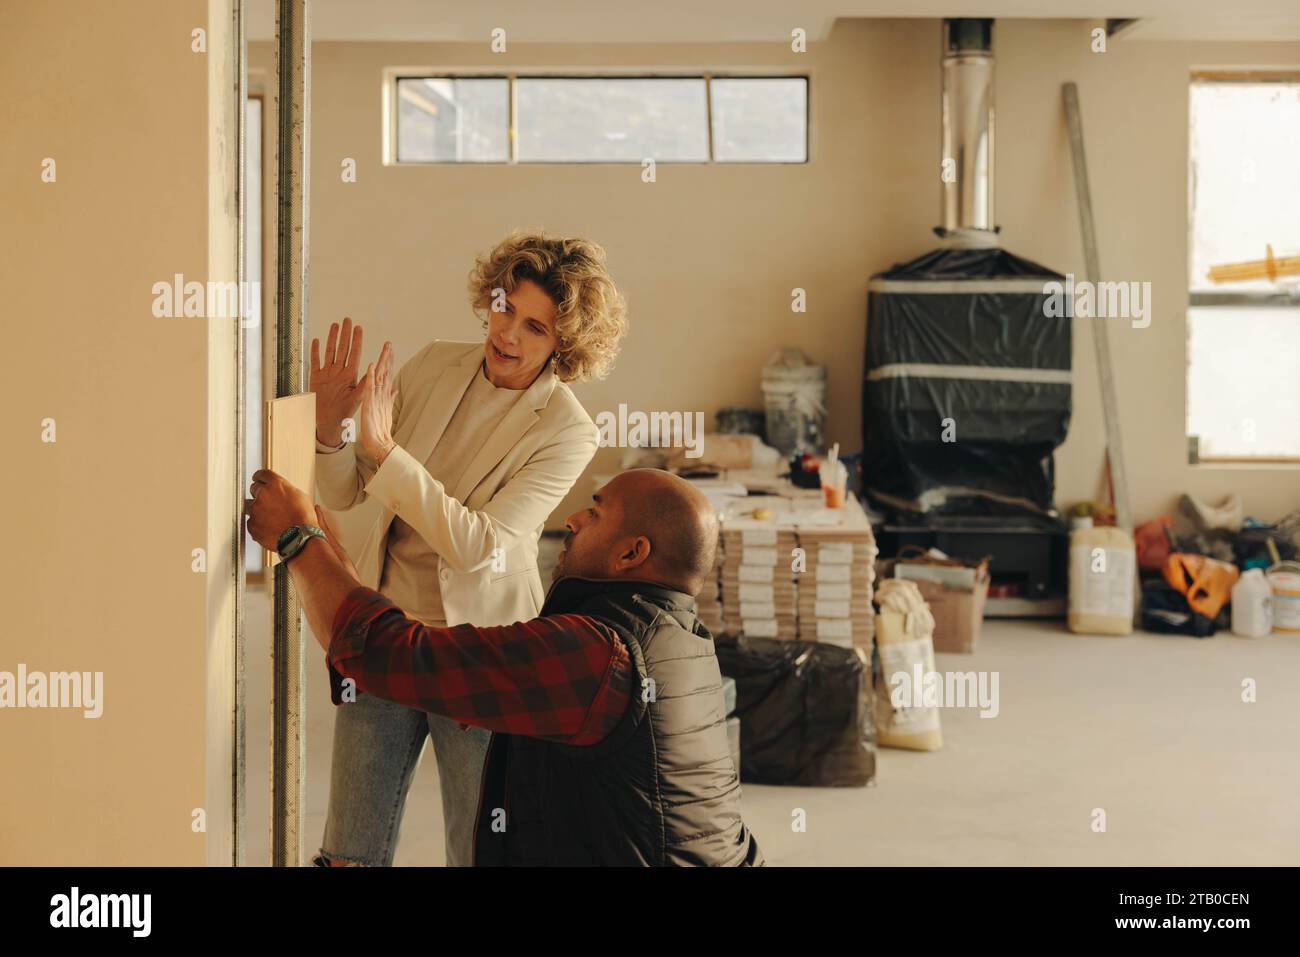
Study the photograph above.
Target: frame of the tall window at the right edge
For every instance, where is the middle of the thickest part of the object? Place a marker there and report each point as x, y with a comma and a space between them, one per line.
1204, 300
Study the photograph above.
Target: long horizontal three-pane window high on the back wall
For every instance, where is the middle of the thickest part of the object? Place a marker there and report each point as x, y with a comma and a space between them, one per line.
610, 119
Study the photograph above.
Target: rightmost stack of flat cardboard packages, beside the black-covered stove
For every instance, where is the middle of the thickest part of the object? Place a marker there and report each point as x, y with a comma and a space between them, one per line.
837, 588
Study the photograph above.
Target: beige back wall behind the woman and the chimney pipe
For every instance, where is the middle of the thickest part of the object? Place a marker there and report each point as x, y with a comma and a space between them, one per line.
708, 257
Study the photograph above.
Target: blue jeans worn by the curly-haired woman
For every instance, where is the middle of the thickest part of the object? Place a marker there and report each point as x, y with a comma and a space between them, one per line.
376, 748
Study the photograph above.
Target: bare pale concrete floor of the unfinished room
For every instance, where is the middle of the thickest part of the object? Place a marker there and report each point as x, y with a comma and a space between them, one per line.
1150, 729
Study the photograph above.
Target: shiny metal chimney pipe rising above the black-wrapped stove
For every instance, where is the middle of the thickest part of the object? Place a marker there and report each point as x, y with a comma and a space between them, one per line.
968, 109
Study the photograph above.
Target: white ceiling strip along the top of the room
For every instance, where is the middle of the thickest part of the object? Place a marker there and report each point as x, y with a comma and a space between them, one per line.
739, 21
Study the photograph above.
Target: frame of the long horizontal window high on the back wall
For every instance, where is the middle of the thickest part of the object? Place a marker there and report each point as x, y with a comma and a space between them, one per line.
392, 114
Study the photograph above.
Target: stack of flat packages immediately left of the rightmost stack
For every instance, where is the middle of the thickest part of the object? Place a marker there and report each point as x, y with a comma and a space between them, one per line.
759, 584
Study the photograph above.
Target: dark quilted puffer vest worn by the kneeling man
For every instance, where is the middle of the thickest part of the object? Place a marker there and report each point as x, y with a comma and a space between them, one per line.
661, 790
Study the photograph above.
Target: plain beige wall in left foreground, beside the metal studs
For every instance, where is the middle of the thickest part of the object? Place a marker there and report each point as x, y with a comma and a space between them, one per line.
101, 525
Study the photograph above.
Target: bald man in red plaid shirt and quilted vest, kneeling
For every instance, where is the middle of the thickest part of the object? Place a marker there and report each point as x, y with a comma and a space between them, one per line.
610, 744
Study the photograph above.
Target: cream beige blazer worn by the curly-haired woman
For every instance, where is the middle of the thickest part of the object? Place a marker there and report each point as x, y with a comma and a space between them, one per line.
509, 490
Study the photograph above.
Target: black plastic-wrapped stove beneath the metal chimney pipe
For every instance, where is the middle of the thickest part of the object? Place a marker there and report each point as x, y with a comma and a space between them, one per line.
960, 348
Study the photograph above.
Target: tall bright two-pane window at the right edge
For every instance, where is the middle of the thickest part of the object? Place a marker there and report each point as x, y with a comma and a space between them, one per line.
1243, 379
